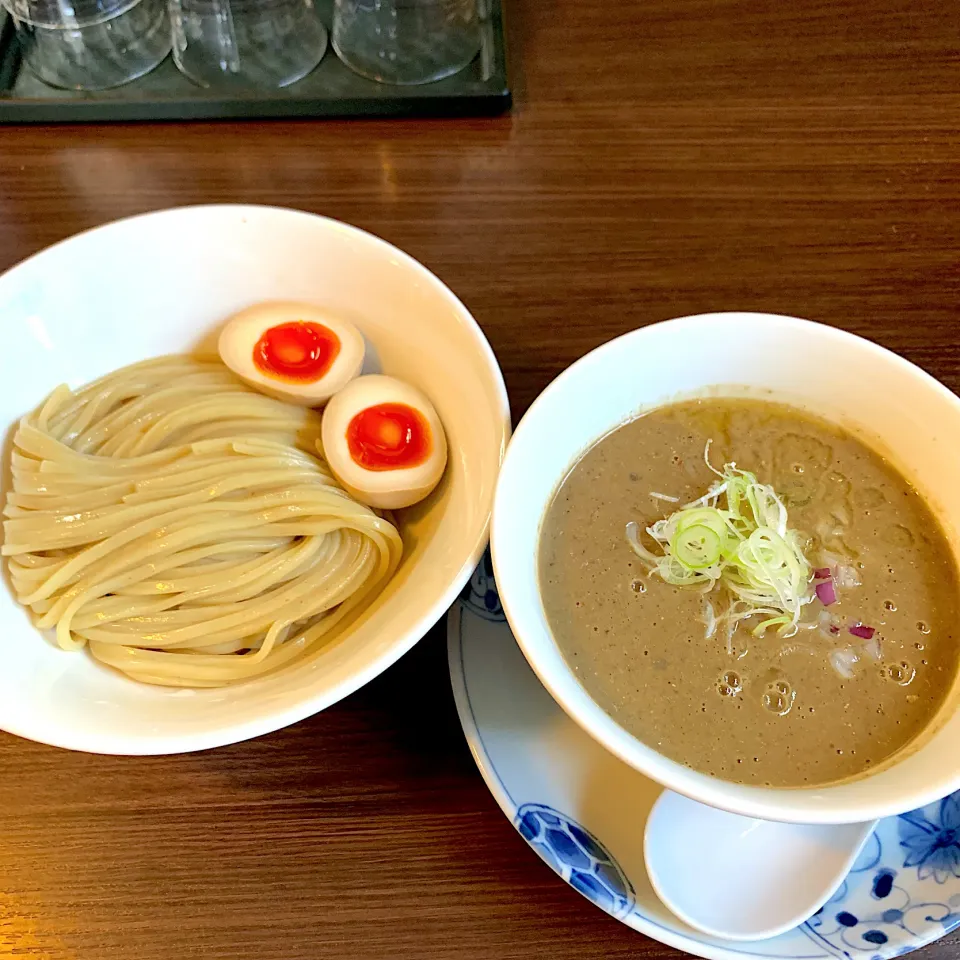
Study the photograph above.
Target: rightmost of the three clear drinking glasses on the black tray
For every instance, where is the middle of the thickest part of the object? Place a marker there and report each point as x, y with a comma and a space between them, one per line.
406, 41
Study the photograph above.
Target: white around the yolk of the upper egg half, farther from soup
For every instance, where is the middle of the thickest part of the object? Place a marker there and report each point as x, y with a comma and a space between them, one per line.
242, 331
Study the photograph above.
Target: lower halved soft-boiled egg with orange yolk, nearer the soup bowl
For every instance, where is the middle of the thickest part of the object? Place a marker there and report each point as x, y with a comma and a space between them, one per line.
384, 442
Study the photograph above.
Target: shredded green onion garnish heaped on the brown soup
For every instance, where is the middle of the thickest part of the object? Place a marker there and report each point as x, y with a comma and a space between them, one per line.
735, 538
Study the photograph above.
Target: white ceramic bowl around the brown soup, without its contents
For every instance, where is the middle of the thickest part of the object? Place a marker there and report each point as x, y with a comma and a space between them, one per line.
897, 407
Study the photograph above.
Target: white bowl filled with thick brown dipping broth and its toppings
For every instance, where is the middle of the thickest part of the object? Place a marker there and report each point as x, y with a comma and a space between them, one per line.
728, 546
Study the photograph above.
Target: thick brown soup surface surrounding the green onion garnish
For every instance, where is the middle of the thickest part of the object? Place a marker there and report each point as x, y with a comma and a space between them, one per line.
777, 710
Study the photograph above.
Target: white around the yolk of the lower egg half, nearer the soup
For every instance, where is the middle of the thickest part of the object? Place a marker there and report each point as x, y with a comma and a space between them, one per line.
384, 489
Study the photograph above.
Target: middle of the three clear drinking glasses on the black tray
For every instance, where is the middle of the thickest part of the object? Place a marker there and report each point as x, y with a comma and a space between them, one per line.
241, 44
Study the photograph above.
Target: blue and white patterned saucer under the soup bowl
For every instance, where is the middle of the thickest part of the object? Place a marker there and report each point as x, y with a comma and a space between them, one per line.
583, 811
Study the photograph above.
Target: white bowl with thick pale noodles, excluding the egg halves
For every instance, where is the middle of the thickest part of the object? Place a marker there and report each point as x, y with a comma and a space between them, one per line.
181, 568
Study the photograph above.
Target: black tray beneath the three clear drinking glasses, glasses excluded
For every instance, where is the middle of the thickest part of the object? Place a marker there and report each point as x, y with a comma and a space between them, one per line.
331, 90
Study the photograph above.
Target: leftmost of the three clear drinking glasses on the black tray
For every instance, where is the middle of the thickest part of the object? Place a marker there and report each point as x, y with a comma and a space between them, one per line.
90, 44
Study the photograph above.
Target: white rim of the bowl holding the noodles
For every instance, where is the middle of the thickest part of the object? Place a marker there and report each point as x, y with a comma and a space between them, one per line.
271, 720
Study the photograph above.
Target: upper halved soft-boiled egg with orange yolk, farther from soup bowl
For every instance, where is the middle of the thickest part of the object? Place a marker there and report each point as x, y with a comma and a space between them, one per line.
294, 351
